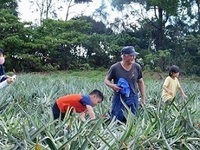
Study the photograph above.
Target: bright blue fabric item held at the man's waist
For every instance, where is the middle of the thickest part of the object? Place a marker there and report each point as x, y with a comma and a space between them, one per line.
125, 88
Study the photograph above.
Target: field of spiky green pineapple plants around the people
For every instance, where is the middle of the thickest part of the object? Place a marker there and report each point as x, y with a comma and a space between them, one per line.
26, 120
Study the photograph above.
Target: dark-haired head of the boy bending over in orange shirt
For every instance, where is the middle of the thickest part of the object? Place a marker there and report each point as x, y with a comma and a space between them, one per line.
96, 96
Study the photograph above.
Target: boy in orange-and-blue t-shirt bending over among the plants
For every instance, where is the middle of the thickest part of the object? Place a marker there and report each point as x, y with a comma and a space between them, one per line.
78, 103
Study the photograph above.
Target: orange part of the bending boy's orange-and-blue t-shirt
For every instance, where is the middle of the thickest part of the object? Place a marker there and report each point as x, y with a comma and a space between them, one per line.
72, 101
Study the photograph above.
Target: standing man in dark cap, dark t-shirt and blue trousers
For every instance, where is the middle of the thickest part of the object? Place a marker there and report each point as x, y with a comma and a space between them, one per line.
126, 80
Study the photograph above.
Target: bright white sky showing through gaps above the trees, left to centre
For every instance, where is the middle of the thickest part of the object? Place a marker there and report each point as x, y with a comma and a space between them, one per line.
29, 13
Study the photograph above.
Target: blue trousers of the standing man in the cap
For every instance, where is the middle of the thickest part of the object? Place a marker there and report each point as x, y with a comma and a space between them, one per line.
118, 107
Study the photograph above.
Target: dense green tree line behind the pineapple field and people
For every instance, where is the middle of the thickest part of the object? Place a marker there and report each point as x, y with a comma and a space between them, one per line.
163, 32
